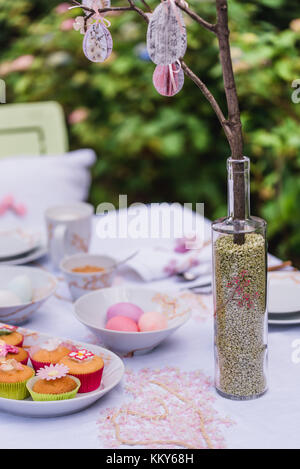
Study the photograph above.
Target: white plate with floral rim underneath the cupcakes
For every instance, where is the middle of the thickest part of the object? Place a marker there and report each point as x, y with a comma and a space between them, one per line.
112, 375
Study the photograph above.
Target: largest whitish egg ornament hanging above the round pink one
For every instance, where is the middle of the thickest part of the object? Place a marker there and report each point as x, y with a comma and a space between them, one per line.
166, 35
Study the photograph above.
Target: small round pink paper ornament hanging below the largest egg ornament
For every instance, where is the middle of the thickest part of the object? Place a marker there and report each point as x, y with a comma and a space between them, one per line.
168, 79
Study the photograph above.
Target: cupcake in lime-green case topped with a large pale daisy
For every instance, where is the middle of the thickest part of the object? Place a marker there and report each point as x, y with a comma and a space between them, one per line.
52, 383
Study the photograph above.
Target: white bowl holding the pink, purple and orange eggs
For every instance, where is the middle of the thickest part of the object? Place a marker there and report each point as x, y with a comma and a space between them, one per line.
91, 310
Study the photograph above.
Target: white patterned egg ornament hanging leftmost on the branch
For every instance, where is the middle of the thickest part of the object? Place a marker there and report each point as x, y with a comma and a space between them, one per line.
97, 43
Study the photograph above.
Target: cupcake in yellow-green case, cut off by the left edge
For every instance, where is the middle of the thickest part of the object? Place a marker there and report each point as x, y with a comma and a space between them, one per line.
13, 379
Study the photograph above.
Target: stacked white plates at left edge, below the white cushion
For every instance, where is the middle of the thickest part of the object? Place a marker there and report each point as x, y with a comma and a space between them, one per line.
19, 246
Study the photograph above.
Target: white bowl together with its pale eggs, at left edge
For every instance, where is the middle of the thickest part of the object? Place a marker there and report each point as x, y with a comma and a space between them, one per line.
22, 291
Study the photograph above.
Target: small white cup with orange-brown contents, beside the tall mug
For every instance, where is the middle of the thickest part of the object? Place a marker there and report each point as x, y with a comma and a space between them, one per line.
82, 283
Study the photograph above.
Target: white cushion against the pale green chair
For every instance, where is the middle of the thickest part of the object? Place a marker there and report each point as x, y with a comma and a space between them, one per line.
40, 182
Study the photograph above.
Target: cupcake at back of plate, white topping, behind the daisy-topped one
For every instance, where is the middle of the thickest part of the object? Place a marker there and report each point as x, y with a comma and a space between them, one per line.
51, 352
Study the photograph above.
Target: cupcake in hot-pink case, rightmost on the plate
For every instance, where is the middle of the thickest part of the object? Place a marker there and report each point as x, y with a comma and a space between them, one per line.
87, 367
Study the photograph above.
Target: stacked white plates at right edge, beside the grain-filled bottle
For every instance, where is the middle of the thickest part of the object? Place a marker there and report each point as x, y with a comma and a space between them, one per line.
284, 298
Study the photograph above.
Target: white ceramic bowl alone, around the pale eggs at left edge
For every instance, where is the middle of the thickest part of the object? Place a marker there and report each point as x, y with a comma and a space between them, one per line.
44, 285
